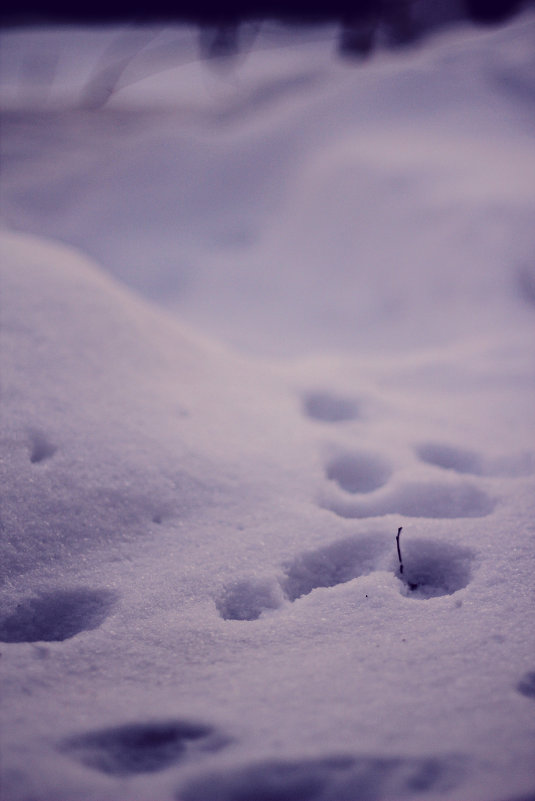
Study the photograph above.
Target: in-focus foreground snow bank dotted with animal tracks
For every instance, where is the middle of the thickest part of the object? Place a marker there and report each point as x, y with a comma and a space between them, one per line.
202, 597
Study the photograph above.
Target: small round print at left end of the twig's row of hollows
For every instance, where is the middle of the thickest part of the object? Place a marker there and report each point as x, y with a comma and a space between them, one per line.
246, 599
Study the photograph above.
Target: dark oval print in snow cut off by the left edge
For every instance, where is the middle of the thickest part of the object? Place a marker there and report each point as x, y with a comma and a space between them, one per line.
57, 616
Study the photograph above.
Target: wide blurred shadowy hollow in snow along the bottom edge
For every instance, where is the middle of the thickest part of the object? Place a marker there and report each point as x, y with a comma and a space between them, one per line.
367, 778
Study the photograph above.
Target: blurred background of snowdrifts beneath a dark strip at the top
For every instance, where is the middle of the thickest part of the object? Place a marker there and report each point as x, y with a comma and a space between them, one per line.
287, 177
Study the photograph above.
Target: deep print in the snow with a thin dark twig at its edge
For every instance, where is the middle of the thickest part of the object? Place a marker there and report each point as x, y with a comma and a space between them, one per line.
431, 569
